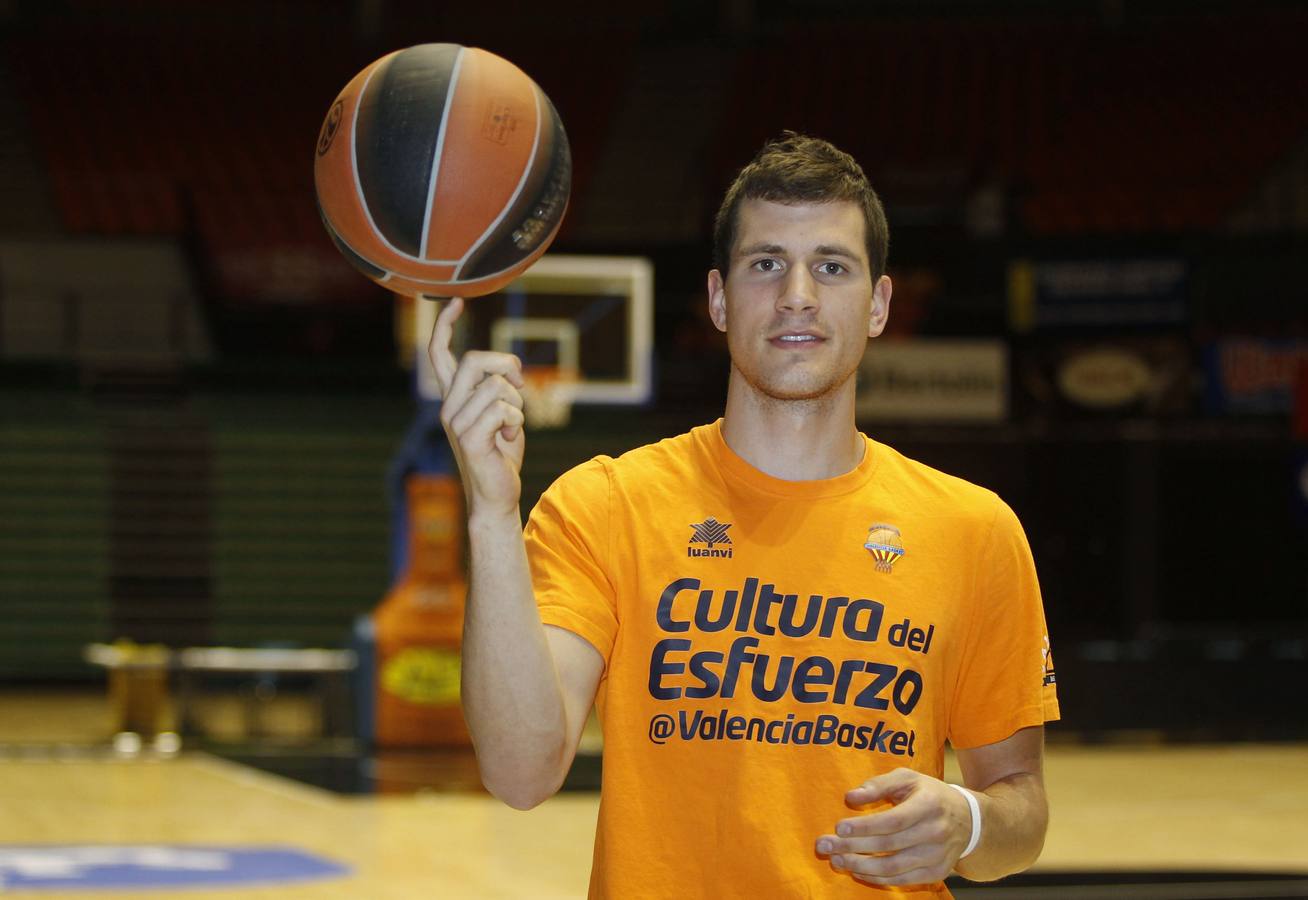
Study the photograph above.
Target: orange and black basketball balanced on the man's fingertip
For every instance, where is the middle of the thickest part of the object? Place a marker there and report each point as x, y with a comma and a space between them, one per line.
443, 171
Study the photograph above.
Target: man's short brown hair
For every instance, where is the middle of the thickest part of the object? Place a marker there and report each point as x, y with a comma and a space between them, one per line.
801, 169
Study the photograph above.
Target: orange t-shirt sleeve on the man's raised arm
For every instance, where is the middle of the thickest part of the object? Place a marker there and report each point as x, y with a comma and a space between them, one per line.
568, 540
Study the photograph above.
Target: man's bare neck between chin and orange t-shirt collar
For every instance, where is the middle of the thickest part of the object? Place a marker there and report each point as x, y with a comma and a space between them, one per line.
793, 440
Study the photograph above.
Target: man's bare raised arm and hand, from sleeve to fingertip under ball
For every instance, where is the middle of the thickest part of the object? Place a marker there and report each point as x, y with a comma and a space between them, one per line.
528, 687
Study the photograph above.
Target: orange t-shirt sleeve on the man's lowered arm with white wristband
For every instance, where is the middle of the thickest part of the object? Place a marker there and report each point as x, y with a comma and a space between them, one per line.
1007, 678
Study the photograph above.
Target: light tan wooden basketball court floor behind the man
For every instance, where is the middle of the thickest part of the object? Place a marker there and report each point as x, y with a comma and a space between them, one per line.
1241, 808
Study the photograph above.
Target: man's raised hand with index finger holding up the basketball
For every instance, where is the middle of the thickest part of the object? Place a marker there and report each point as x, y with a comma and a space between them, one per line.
482, 414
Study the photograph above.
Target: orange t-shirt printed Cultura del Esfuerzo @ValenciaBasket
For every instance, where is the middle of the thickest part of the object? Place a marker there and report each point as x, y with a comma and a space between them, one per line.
770, 646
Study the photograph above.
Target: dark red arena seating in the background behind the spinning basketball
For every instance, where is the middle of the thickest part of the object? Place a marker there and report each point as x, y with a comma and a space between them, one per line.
177, 128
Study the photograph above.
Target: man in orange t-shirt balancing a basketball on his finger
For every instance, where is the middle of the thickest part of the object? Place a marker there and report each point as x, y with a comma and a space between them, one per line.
780, 621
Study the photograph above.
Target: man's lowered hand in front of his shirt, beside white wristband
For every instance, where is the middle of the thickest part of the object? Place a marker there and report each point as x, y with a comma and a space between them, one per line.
916, 842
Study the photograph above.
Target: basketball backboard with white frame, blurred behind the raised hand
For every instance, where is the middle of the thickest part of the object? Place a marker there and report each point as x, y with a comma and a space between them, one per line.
591, 315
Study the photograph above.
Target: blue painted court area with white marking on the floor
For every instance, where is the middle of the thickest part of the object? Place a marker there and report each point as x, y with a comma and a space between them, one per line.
116, 867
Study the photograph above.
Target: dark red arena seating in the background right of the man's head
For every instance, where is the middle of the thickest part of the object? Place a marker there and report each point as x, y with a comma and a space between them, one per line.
1158, 128
